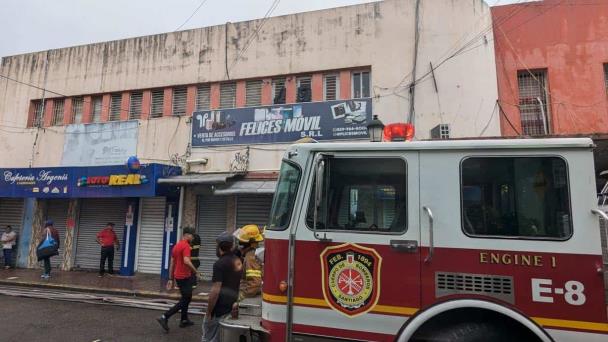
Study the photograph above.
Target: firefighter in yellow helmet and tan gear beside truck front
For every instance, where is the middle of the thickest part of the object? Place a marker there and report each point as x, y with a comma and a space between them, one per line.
249, 237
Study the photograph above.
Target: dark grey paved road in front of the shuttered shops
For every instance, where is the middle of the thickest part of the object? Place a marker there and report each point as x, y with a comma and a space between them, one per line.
29, 319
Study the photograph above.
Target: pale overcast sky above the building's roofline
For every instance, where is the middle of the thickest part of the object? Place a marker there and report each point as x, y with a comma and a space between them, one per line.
35, 25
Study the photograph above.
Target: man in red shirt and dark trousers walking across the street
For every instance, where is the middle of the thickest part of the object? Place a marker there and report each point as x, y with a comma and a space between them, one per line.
183, 272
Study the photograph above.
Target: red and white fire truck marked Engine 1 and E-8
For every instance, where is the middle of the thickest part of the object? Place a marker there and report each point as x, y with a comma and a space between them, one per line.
462, 240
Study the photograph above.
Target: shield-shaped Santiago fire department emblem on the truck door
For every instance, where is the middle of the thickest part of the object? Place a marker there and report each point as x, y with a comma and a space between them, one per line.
351, 282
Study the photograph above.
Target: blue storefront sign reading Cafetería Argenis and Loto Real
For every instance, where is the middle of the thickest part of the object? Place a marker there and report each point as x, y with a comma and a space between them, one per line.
82, 182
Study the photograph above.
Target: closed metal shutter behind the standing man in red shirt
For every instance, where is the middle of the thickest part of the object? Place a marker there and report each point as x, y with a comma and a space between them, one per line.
94, 214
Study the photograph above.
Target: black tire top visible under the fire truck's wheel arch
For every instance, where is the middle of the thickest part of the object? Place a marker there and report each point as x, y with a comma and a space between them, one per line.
474, 332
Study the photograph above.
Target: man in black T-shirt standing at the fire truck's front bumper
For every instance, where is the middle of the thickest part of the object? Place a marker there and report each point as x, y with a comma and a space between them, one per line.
227, 273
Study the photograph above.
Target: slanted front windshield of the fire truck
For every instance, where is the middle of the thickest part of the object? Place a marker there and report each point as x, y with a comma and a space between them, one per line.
285, 196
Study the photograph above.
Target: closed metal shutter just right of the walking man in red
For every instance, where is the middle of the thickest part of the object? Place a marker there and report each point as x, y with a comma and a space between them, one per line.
211, 223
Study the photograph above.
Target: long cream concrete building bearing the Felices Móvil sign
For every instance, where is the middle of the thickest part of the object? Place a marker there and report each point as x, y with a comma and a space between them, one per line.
208, 100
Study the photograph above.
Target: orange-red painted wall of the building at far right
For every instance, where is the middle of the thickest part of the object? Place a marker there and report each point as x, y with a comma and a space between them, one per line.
570, 42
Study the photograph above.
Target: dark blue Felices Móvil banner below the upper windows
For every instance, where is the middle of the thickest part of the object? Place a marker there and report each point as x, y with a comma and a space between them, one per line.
331, 120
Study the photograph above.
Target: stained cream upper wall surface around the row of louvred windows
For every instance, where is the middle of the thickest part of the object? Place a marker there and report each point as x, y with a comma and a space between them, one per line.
376, 35
